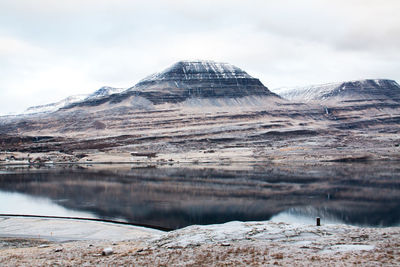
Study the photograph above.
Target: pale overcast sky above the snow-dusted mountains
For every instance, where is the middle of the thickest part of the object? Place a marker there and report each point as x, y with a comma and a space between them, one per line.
53, 49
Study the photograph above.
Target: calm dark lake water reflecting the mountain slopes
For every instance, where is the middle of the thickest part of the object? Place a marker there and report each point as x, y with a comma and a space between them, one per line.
174, 197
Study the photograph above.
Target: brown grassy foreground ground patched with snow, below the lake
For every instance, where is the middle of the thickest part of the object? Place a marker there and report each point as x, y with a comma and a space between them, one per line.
230, 244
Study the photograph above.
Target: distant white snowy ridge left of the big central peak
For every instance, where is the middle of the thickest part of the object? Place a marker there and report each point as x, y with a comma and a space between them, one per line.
102, 92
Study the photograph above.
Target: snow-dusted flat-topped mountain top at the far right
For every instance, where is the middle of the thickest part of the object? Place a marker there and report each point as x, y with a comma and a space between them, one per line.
379, 89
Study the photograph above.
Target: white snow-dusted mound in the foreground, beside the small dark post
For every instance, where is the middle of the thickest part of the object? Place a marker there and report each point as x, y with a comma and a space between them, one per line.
321, 237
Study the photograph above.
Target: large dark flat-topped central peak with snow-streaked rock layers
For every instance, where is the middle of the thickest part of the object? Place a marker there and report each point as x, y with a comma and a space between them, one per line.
190, 79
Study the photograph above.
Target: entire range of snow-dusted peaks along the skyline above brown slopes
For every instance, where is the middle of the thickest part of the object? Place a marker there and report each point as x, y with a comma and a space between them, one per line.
206, 79
